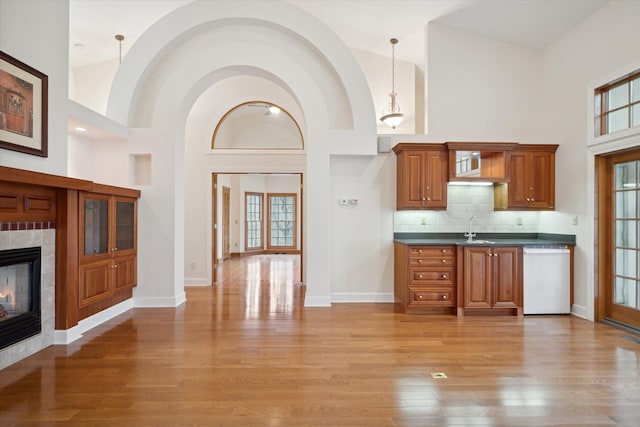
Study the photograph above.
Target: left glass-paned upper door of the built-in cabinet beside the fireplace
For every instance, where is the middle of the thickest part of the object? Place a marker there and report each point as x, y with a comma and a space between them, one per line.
96, 226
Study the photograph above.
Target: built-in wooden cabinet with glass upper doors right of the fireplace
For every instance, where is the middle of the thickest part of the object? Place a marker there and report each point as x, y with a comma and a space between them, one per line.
107, 246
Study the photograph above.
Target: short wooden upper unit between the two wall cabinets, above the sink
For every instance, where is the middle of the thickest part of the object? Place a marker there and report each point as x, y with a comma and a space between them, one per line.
478, 161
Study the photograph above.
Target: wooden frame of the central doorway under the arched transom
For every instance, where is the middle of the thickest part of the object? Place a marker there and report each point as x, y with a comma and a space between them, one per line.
214, 215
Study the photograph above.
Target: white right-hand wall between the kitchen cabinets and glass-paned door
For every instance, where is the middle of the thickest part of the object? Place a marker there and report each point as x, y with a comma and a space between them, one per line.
603, 45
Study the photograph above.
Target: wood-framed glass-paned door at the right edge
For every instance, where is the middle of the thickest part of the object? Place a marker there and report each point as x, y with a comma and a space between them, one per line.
619, 236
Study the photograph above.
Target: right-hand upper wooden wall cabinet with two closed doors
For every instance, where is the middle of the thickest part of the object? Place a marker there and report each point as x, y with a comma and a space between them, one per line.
531, 183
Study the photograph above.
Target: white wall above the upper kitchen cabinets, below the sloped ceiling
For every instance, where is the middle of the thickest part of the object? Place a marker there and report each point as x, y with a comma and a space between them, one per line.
481, 89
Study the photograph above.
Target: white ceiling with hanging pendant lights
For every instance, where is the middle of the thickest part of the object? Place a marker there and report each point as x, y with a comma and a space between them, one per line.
364, 25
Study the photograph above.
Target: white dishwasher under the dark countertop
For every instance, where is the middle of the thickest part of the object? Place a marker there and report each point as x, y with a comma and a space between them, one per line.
546, 280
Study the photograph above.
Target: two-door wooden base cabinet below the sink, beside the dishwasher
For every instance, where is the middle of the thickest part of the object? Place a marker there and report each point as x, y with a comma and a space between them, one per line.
491, 279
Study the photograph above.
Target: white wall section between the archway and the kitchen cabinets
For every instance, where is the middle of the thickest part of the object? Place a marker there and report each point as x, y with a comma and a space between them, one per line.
362, 243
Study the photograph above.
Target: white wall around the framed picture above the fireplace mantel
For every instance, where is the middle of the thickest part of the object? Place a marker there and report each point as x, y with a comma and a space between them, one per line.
36, 32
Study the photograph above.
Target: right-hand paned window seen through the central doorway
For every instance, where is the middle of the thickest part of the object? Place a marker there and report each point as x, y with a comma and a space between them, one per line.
282, 220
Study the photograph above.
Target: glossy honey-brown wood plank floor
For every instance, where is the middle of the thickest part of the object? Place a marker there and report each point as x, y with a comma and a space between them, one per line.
246, 353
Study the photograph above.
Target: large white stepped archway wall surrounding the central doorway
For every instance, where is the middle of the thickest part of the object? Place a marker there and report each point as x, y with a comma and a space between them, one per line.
160, 83
